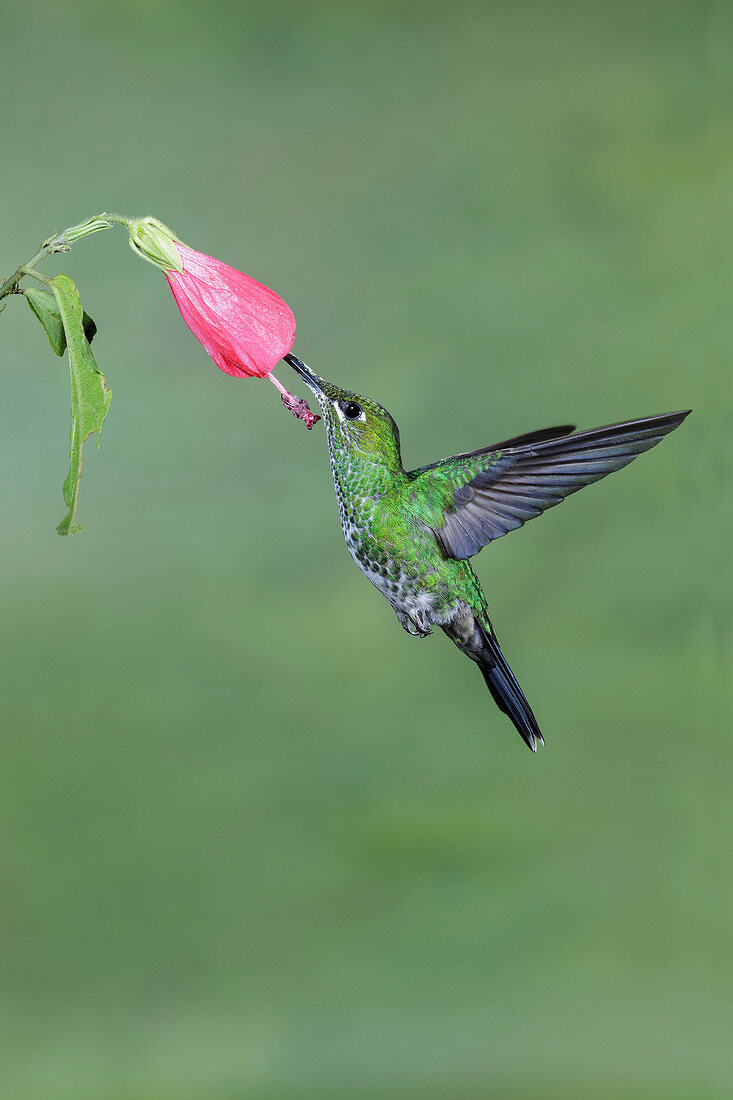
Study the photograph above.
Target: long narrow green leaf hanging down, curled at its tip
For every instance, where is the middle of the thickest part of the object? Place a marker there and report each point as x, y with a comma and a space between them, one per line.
90, 394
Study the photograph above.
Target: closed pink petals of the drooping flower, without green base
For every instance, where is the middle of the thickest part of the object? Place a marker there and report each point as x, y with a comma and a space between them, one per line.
244, 326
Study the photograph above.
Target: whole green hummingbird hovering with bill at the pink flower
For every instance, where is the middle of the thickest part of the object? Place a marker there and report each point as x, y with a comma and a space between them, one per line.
413, 532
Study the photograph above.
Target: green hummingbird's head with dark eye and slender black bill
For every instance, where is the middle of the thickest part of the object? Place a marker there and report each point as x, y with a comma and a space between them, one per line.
356, 426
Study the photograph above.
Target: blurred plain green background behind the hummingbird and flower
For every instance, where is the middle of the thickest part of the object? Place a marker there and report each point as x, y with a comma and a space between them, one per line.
257, 842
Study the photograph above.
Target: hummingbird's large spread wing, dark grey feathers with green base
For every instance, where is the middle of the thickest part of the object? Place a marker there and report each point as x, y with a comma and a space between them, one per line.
479, 497
